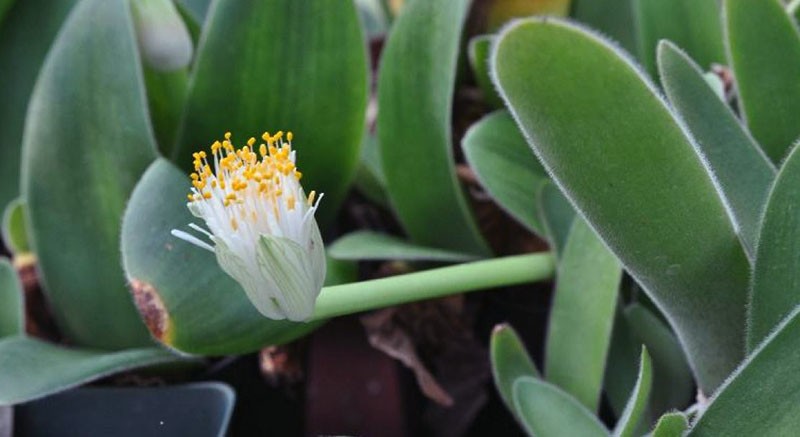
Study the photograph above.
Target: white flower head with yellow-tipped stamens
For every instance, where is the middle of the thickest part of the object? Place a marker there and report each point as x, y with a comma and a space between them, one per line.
261, 223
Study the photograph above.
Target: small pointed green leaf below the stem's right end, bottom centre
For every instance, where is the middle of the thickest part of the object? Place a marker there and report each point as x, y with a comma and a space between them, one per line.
510, 361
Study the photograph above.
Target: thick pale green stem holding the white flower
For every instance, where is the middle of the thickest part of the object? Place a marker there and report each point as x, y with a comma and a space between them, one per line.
367, 295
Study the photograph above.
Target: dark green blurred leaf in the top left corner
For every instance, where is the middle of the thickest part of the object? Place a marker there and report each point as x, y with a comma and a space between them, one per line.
26, 33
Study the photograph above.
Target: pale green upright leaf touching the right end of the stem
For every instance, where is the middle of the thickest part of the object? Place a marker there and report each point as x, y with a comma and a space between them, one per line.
582, 315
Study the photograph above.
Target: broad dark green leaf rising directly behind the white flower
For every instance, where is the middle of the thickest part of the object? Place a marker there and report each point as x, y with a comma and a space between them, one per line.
297, 66
